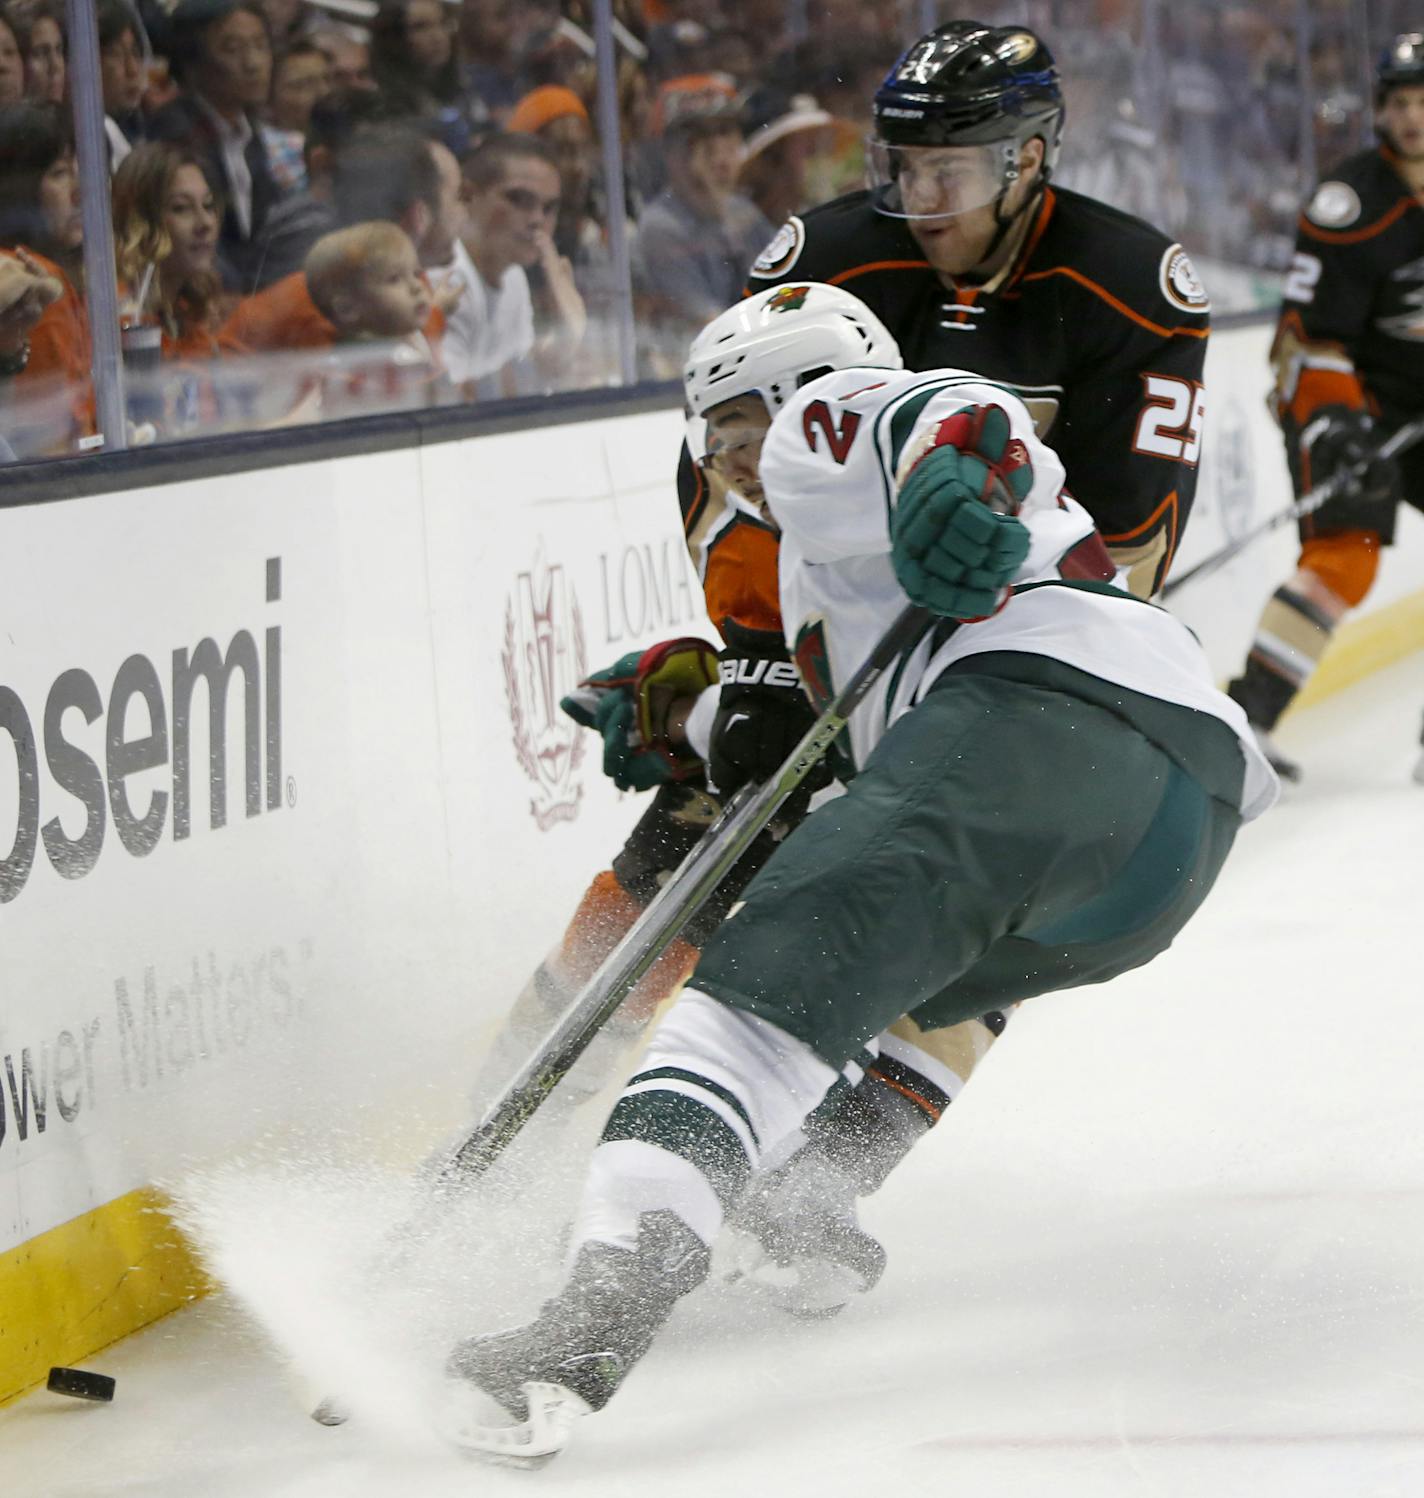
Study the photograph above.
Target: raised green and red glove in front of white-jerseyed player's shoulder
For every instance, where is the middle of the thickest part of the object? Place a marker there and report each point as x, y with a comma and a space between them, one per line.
955, 542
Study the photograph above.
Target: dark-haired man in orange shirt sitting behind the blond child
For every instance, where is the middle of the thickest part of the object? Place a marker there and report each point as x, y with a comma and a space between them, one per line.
384, 172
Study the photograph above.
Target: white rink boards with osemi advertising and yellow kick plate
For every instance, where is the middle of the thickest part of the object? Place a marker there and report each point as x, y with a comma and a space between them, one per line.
291, 811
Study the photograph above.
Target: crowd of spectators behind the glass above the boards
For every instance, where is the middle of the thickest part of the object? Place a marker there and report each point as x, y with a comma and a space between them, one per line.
326, 209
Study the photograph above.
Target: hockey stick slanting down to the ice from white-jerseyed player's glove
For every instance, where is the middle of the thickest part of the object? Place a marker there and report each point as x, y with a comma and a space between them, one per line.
670, 912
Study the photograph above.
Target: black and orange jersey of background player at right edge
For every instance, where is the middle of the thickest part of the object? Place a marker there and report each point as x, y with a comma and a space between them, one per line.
1351, 324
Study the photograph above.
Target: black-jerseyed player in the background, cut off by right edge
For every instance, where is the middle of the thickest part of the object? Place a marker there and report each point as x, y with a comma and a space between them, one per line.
1350, 371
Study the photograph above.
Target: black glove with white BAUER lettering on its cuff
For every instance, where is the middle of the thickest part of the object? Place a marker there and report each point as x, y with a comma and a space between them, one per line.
763, 714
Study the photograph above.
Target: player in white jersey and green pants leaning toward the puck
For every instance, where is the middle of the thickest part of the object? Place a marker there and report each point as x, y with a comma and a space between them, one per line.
1038, 796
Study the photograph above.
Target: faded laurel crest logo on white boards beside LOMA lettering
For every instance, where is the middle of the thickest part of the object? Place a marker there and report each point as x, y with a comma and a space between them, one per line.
544, 658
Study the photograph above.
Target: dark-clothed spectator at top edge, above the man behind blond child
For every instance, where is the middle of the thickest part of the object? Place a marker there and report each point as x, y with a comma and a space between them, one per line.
419, 71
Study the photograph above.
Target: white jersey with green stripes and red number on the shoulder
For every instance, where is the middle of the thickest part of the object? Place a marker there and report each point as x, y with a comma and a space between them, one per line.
832, 467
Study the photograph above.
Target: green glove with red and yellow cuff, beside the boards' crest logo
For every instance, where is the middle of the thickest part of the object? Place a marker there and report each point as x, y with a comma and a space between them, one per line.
630, 705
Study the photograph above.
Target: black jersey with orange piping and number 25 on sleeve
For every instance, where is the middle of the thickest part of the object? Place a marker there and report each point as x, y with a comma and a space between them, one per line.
1100, 327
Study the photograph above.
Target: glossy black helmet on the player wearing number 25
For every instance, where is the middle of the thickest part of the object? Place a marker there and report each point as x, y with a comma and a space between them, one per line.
973, 85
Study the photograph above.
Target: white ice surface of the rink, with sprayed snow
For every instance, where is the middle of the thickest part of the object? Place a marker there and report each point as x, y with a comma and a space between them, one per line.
1167, 1244
